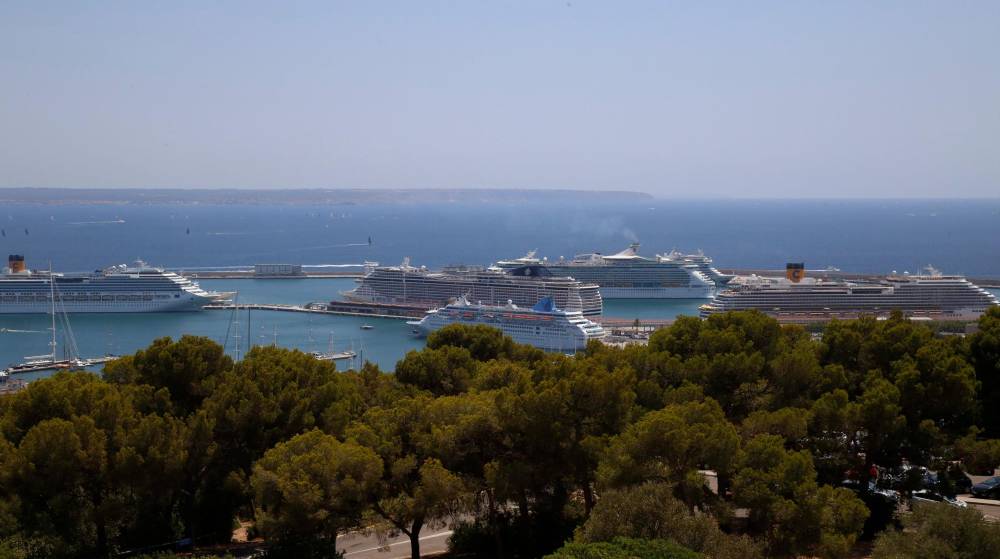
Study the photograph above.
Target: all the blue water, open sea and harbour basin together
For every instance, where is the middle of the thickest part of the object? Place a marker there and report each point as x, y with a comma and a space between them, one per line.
867, 236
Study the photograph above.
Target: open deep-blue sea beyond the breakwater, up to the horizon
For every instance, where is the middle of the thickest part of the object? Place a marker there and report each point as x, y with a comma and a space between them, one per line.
959, 236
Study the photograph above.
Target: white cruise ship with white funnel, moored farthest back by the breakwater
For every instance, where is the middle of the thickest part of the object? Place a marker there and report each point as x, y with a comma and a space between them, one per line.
627, 275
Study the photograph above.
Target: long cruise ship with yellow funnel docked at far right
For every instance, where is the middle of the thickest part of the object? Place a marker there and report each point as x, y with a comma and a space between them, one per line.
796, 298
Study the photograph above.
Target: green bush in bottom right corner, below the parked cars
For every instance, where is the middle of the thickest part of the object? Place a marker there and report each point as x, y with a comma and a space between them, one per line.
941, 531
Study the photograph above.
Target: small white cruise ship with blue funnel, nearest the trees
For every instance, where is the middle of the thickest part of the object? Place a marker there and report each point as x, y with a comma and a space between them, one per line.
543, 326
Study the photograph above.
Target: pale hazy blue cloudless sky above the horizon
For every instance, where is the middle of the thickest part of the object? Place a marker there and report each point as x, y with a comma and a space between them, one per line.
678, 99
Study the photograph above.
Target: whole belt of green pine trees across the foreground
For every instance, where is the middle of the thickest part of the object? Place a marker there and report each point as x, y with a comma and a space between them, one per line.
178, 441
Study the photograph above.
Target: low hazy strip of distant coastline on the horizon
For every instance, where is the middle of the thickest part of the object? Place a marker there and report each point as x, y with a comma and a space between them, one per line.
303, 196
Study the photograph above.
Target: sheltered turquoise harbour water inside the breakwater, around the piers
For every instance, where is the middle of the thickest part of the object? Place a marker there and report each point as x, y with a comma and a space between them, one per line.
306, 329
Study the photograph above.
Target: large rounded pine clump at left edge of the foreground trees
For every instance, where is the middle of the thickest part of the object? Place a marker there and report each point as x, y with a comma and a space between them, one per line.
85, 471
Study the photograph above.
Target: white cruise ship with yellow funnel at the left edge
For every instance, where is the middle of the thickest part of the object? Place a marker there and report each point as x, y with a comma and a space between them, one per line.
118, 289
